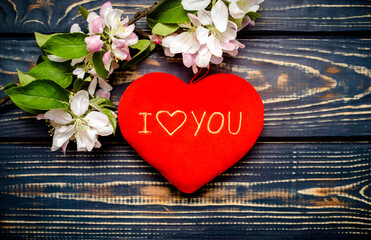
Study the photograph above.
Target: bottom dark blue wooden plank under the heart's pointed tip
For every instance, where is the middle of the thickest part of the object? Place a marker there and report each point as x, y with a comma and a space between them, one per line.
277, 190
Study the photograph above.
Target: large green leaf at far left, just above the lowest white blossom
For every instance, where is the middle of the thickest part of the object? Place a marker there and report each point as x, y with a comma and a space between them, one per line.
39, 95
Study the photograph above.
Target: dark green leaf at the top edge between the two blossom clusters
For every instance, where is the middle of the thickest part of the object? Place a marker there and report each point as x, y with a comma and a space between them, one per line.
168, 11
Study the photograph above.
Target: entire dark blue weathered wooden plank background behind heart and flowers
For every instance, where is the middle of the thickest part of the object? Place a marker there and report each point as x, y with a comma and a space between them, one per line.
308, 176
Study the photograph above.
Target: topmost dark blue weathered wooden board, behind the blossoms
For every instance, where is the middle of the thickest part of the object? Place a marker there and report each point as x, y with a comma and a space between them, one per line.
26, 16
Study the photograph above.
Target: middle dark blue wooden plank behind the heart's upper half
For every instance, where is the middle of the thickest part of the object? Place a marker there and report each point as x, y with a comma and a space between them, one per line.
310, 86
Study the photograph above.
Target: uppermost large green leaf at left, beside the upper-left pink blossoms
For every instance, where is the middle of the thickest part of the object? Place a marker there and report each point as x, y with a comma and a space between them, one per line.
67, 45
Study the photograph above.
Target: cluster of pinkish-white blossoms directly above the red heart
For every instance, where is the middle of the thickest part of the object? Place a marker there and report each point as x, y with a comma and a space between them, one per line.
202, 43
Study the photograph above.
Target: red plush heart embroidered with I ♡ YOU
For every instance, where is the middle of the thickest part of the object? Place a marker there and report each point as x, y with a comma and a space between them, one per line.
191, 133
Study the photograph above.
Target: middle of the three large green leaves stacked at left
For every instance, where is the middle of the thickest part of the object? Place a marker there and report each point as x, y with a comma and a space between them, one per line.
60, 73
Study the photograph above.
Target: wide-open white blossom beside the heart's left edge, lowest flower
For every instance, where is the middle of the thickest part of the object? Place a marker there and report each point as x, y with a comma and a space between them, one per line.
83, 127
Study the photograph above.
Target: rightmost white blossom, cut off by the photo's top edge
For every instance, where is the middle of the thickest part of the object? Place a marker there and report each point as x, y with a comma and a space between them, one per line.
239, 8
